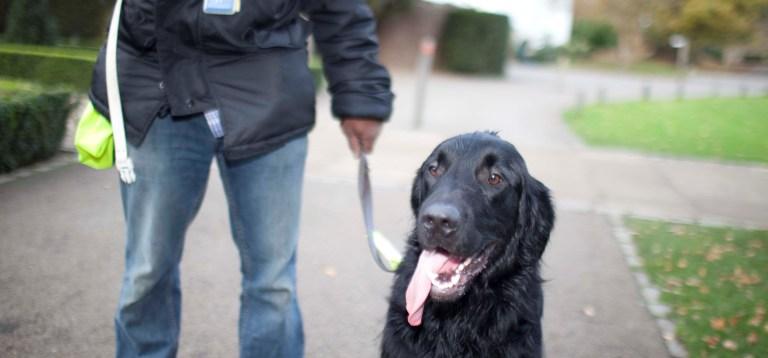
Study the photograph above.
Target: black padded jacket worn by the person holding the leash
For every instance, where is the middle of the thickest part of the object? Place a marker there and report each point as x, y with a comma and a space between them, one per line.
252, 66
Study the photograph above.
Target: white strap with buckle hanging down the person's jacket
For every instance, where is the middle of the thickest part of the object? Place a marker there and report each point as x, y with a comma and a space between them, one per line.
123, 164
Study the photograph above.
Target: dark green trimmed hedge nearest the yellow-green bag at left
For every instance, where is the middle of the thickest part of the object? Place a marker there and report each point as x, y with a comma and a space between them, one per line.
32, 126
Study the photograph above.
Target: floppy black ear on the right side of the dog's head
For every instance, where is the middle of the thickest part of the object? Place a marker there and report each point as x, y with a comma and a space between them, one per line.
535, 220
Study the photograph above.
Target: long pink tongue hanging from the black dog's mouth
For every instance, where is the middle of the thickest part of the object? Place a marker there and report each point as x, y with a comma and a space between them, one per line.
420, 285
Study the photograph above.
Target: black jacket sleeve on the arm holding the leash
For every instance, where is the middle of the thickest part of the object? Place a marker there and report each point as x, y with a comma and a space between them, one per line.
345, 34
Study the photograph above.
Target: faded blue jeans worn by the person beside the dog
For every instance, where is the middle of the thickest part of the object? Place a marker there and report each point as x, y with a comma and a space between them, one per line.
264, 195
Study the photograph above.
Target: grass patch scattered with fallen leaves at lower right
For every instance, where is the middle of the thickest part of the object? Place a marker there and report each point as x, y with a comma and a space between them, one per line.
714, 281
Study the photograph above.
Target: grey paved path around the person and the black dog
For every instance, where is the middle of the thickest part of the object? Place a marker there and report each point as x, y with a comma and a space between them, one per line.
61, 251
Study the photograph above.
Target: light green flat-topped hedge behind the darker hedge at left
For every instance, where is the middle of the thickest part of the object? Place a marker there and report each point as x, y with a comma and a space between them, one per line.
75, 73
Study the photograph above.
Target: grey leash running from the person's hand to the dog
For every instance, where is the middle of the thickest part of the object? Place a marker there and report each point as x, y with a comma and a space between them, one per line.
386, 256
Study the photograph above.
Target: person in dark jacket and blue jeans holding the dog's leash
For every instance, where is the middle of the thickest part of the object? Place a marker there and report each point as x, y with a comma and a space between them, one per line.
236, 87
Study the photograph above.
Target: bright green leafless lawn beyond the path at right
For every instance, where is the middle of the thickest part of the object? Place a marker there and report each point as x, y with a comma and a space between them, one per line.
729, 129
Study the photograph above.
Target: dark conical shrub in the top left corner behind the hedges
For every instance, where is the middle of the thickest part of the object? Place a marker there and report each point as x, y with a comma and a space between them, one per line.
30, 22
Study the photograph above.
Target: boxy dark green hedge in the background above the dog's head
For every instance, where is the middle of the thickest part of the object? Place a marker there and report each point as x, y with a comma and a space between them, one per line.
474, 42
